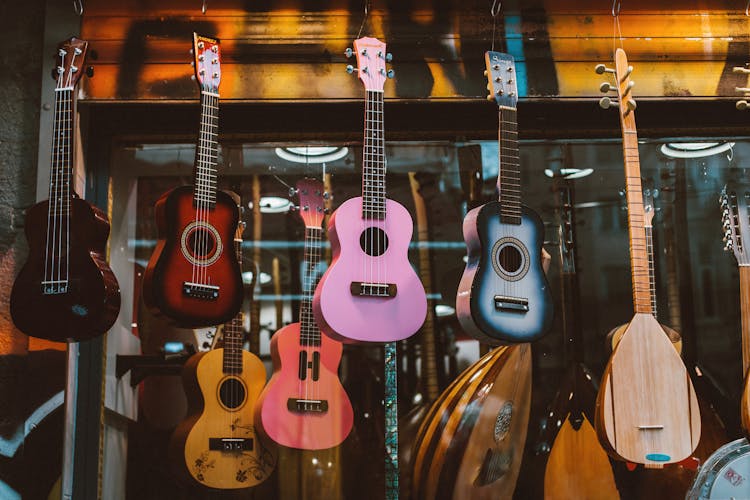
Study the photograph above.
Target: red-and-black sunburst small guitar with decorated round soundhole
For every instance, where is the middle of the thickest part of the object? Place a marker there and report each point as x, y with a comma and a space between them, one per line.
192, 276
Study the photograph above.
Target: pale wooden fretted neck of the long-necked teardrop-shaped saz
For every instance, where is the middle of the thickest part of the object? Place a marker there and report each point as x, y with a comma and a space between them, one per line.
639, 262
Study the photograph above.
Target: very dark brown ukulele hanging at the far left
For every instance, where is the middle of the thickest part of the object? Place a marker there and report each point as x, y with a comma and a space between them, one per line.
65, 291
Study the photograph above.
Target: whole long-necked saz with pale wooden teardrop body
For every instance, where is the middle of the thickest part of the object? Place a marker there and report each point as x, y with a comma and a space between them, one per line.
647, 411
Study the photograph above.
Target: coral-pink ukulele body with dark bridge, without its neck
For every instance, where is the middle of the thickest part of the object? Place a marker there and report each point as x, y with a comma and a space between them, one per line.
308, 430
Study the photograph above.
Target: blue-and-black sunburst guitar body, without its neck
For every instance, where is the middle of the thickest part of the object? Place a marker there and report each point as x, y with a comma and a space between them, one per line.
486, 278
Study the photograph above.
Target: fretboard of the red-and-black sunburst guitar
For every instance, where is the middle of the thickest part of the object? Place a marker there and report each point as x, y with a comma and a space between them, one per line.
206, 152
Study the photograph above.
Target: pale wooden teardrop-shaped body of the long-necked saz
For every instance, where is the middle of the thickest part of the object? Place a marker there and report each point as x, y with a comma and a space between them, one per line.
647, 411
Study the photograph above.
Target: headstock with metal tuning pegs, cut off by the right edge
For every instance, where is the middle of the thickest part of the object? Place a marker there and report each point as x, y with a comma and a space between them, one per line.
735, 221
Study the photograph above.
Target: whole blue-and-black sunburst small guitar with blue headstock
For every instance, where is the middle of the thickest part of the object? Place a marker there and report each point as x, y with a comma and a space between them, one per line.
503, 296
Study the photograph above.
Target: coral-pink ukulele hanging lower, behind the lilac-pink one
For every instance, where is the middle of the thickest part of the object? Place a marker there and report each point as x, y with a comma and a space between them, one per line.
304, 404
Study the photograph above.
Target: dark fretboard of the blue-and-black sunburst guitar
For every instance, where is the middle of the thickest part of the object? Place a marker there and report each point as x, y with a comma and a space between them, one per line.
509, 172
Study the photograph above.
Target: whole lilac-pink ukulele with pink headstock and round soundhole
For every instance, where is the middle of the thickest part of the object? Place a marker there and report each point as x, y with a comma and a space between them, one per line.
370, 292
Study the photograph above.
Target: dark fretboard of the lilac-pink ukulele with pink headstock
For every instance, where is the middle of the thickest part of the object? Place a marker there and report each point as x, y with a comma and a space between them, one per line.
373, 158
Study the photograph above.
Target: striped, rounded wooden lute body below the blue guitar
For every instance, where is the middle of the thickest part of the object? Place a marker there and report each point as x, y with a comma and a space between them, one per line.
471, 442
